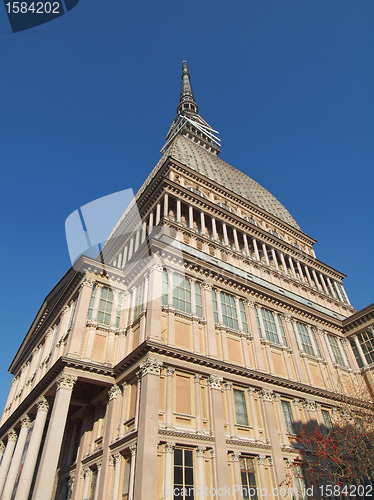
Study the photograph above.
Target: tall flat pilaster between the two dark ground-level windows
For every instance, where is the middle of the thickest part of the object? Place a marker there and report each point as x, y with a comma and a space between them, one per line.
216, 415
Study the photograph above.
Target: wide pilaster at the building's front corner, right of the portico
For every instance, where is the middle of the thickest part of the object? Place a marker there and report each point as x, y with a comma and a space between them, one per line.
146, 457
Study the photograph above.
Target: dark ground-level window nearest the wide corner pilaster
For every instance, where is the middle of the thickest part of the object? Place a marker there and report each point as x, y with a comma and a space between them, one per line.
183, 474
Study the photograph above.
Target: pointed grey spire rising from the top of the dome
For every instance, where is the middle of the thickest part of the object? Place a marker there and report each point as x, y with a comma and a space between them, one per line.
189, 123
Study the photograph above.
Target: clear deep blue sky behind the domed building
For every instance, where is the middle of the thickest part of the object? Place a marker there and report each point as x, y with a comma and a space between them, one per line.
88, 98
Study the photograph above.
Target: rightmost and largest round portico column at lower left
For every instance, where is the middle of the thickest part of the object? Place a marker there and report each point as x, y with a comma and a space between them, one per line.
51, 451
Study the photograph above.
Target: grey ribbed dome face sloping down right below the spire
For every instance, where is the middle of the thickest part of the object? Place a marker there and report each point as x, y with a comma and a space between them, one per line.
207, 164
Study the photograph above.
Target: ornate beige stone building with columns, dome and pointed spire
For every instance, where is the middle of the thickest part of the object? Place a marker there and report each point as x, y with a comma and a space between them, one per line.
181, 363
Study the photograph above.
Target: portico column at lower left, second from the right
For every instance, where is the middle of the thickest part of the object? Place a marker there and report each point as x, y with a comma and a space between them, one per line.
33, 450
